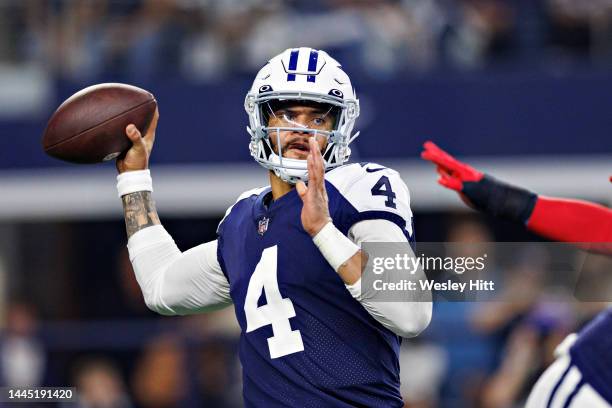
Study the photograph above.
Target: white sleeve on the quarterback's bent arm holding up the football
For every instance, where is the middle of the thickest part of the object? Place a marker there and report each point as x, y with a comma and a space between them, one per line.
175, 282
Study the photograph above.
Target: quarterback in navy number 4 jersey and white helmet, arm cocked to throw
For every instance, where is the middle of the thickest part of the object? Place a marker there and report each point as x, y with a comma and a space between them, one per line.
287, 255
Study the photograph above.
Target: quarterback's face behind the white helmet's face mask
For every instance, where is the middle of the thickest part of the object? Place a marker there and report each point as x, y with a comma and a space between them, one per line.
294, 143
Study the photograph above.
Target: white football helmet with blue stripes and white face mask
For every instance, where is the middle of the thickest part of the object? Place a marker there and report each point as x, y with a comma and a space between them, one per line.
301, 74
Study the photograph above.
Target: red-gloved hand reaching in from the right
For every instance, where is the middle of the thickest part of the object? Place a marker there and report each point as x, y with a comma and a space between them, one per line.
453, 173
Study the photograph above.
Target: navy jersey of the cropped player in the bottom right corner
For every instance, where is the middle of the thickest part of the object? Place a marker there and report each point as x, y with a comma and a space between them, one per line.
592, 354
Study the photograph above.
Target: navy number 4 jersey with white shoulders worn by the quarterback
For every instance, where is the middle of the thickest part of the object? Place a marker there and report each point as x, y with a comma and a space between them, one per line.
305, 341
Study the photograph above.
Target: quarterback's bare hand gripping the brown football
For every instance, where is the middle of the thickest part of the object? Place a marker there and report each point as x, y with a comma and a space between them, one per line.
137, 157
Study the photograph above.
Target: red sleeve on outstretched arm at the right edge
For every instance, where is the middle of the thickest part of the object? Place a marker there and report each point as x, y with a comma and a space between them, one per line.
566, 220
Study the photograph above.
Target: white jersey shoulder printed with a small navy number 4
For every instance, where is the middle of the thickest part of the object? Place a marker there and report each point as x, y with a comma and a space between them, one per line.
372, 188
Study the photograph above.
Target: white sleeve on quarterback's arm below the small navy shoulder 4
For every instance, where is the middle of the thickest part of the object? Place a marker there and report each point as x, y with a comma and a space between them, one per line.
407, 318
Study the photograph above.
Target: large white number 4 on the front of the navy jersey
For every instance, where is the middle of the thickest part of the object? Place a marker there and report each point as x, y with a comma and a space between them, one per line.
276, 312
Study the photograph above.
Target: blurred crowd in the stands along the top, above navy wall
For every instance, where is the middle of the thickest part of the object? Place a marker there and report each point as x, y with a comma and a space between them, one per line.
208, 40
